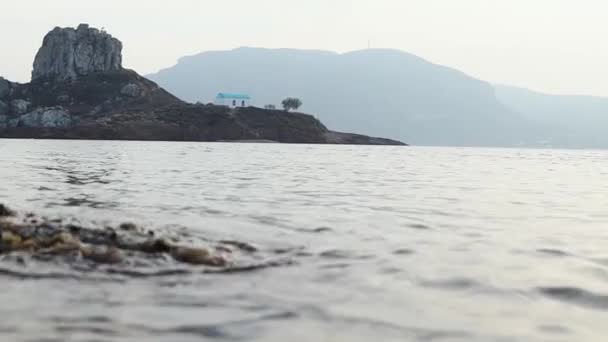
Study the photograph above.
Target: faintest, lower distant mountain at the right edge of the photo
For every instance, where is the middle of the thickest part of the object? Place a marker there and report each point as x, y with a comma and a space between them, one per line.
568, 120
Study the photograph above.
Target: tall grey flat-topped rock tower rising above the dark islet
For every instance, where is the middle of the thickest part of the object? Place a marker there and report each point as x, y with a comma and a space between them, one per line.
67, 53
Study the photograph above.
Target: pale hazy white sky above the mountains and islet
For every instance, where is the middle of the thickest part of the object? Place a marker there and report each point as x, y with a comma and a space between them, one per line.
557, 46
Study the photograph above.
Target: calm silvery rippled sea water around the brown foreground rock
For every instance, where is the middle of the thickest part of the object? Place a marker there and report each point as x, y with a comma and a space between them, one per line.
383, 243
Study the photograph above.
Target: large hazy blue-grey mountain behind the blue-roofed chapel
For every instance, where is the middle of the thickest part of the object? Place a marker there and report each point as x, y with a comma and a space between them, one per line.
378, 92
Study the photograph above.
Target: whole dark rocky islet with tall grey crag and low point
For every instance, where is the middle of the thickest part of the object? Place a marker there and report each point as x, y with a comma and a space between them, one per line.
79, 90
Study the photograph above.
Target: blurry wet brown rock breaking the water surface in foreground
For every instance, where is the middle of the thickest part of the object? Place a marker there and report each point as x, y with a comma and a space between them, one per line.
38, 236
